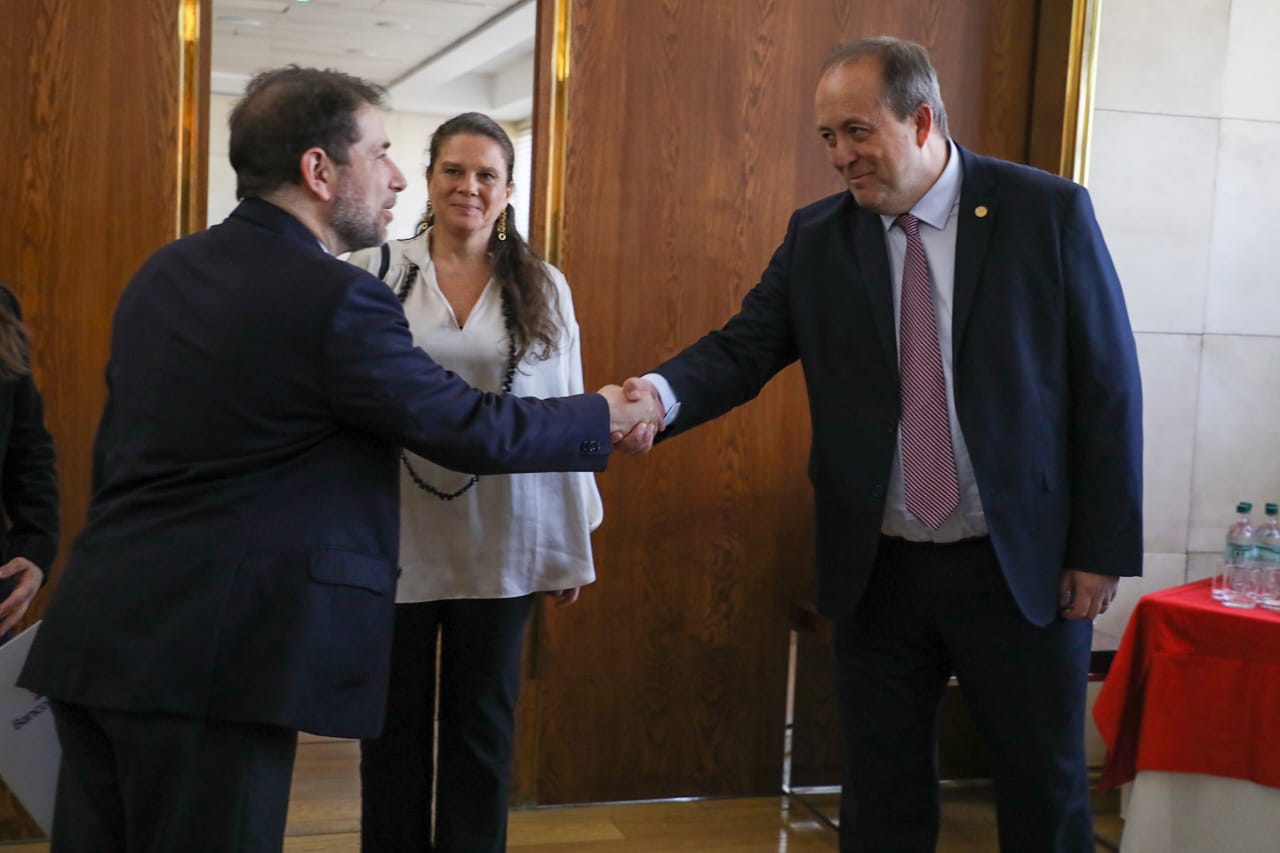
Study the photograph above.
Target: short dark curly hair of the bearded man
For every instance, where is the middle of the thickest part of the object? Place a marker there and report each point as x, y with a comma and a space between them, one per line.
287, 111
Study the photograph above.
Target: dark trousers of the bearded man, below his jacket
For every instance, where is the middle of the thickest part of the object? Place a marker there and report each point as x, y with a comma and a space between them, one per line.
154, 783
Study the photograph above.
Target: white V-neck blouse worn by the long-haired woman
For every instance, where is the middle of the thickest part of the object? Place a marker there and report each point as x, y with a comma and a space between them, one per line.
509, 535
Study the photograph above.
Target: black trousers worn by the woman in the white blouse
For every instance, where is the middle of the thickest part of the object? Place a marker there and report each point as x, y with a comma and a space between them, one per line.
479, 682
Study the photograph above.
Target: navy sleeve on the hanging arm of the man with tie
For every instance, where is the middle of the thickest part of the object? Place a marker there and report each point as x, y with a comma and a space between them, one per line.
1107, 405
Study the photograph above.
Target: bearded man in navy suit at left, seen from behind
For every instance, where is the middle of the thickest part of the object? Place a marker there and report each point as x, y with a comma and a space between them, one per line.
235, 582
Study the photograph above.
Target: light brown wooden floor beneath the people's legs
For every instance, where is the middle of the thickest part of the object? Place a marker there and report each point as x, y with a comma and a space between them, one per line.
324, 818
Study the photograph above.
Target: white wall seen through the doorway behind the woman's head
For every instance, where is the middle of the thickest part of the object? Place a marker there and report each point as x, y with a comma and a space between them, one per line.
409, 133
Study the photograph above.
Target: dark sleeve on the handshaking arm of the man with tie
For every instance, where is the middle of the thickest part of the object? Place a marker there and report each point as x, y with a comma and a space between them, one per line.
732, 366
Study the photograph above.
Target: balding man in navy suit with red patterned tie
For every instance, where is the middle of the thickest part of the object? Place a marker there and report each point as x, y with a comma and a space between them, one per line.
977, 448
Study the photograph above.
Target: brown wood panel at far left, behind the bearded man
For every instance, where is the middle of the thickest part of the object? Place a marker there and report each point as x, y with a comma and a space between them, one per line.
89, 94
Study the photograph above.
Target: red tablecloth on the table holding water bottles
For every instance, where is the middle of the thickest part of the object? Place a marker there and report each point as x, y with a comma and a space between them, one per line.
1194, 688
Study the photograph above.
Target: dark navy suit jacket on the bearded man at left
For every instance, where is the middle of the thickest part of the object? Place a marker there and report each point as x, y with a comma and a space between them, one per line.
239, 562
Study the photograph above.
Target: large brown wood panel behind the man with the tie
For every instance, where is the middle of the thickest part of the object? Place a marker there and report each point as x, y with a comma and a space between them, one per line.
691, 142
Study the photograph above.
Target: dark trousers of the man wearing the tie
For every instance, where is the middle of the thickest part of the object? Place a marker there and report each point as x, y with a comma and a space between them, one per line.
929, 613
